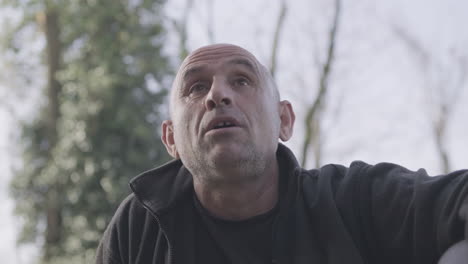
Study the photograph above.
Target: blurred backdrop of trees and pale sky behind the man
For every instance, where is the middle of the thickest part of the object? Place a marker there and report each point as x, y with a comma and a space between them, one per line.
83, 88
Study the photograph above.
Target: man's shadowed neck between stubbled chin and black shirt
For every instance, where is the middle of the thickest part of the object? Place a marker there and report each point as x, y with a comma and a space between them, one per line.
241, 200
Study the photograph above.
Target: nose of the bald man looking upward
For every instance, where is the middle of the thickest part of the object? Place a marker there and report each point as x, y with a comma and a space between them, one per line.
220, 94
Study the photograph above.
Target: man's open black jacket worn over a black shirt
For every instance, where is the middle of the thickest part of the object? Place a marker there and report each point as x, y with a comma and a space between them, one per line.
361, 214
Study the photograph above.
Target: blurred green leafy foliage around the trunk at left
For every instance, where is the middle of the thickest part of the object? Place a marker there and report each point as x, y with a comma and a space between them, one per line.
112, 89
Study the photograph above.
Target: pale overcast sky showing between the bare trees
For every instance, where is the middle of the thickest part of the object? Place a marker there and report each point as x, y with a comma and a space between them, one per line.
378, 108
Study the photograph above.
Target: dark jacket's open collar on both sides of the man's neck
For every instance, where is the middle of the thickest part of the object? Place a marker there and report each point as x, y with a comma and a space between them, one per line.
162, 188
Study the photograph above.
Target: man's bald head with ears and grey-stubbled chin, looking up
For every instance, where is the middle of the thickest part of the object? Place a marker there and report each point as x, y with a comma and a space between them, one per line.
225, 111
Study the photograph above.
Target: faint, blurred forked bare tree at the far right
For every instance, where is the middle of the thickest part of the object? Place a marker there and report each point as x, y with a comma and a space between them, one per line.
443, 82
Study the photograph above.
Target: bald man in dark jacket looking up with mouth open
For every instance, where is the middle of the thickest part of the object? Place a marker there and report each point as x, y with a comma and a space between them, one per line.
233, 194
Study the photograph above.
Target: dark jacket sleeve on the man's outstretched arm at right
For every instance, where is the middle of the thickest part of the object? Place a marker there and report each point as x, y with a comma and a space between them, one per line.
415, 217
